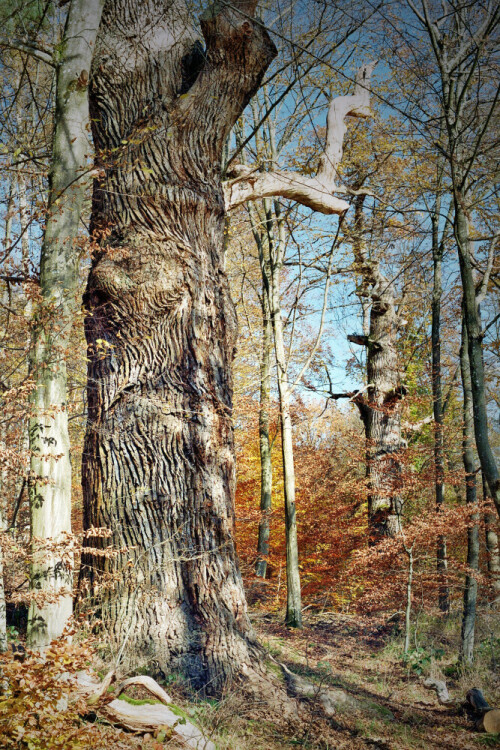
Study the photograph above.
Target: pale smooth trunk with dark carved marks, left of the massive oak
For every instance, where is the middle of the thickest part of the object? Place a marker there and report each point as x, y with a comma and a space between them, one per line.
50, 485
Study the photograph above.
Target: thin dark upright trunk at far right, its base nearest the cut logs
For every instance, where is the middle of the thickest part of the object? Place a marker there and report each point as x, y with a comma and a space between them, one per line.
471, 586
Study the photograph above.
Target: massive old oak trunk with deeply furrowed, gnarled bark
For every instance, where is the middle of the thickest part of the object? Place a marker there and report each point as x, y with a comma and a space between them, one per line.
158, 466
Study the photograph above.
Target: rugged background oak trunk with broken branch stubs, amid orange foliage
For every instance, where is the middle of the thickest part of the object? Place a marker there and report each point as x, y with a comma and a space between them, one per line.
380, 405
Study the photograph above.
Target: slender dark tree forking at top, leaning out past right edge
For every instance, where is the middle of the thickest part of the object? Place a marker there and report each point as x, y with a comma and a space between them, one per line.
463, 43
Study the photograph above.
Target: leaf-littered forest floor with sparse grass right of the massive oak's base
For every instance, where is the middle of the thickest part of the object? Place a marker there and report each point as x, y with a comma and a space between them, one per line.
362, 656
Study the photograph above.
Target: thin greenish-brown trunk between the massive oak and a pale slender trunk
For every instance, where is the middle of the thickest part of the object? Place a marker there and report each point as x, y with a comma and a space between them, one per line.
266, 466
